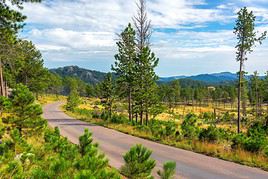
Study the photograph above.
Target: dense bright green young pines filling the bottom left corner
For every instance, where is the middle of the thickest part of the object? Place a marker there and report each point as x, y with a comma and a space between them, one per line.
57, 158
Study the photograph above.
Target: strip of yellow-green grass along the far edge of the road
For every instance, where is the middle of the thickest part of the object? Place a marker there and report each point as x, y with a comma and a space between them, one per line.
218, 150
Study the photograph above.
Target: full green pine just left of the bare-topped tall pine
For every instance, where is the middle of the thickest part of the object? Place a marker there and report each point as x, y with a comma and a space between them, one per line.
125, 64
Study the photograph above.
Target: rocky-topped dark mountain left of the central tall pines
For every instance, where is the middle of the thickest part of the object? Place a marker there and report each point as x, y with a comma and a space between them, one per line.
88, 76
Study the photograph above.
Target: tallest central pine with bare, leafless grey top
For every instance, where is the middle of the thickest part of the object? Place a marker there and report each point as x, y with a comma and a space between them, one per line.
145, 77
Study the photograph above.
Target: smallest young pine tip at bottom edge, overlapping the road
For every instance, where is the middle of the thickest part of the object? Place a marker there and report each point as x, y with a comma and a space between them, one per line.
169, 170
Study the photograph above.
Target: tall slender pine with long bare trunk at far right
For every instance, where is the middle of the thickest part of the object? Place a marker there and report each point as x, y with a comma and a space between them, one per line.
247, 38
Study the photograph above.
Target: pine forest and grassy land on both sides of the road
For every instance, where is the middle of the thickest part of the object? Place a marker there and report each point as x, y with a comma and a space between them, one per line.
228, 121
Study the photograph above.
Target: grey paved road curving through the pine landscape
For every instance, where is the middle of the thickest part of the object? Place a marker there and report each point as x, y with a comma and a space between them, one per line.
114, 144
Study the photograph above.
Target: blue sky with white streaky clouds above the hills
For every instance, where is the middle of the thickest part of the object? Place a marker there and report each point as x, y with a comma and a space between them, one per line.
189, 36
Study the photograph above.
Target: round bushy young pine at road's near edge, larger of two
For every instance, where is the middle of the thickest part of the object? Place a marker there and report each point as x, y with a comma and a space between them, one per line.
138, 164
